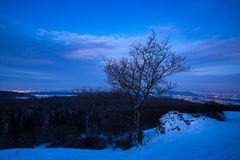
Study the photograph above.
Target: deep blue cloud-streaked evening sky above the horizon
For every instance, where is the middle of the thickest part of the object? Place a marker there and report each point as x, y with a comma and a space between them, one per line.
56, 44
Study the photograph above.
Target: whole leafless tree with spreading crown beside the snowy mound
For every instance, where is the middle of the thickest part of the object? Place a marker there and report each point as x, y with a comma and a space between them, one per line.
144, 72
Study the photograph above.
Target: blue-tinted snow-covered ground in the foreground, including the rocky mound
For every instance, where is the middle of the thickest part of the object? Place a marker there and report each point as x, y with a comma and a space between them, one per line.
186, 138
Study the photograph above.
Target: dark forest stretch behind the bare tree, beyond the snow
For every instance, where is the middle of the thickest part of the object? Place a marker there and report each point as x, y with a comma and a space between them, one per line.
90, 120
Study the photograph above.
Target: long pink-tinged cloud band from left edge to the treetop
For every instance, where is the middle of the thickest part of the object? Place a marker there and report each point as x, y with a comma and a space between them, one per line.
22, 45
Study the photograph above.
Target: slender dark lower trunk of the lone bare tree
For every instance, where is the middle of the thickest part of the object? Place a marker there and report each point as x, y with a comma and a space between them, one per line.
137, 117
